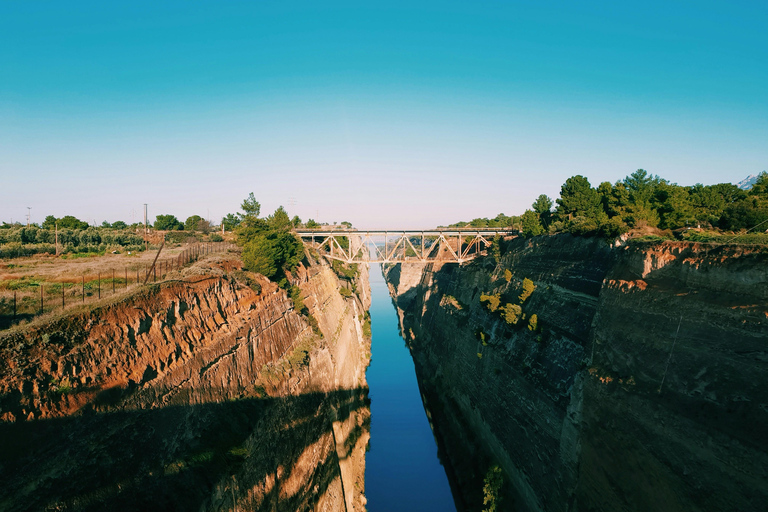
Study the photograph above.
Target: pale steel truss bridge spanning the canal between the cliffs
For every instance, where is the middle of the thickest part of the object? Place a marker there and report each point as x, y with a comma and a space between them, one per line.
351, 246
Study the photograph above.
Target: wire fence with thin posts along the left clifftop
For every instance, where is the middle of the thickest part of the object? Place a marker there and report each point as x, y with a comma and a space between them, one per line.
26, 304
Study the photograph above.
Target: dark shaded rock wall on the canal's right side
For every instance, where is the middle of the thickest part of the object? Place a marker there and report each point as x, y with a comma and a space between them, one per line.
640, 385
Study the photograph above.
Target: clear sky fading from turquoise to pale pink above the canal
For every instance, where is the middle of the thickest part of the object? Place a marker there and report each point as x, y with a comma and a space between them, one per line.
384, 114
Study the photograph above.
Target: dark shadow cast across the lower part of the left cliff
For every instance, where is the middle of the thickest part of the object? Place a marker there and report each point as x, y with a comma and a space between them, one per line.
181, 457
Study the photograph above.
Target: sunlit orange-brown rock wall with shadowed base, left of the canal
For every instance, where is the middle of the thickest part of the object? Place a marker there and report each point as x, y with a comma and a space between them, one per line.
207, 392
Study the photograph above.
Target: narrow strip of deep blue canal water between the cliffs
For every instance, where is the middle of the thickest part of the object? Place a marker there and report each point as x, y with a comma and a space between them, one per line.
402, 471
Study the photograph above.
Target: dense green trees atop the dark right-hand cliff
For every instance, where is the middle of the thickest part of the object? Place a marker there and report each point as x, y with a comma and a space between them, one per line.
642, 199
